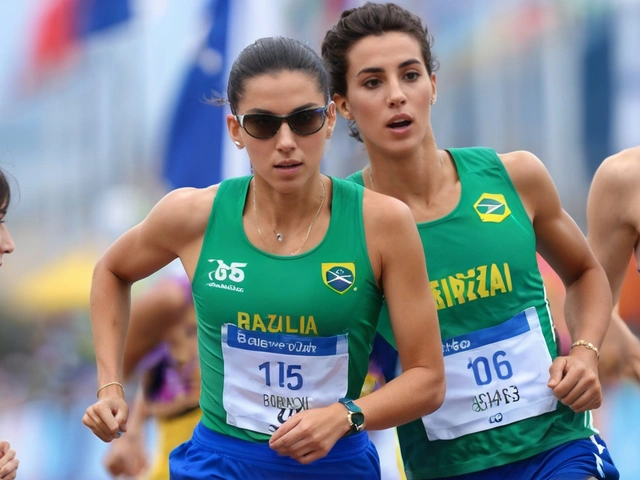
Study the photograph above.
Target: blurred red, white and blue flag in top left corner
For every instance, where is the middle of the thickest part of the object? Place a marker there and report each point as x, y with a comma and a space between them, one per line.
61, 28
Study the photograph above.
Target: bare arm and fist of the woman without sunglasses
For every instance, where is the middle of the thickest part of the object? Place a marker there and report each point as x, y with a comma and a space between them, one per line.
574, 379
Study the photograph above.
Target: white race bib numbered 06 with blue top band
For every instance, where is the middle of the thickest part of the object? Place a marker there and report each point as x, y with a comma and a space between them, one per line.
495, 377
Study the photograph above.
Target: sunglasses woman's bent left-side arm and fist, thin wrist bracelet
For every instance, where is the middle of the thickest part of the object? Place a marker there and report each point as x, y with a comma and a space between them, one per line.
174, 228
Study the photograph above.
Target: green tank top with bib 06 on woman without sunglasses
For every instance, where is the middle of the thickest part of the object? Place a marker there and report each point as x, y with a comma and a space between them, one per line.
497, 333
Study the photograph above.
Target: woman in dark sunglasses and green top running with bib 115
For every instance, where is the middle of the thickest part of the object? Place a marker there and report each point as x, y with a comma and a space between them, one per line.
288, 269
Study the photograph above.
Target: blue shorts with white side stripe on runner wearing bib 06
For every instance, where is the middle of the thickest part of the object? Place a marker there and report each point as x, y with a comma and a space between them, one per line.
577, 460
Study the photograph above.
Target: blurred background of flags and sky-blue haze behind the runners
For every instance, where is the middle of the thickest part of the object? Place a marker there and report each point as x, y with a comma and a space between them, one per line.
102, 113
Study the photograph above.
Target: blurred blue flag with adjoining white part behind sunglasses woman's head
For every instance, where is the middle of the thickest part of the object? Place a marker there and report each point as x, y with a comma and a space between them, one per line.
199, 152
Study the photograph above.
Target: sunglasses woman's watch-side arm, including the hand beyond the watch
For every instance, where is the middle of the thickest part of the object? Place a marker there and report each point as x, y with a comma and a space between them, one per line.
398, 261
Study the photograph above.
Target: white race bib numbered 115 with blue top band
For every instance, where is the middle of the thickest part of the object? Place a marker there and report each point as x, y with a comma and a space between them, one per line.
269, 377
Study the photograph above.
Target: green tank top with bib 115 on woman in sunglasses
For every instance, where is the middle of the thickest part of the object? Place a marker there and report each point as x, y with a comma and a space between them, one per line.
277, 334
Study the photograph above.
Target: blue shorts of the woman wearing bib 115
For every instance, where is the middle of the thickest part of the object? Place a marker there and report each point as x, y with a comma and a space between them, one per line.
210, 455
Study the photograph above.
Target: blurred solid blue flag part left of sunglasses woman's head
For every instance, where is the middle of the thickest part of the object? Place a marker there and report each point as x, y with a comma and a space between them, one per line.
193, 154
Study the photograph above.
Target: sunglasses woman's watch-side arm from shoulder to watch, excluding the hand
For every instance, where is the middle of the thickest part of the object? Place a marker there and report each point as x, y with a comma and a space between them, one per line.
398, 254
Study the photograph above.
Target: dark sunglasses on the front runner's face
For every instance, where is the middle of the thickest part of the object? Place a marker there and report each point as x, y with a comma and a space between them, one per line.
266, 125
